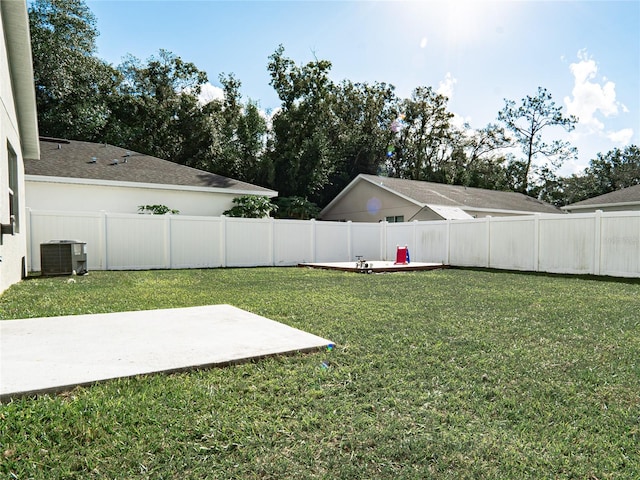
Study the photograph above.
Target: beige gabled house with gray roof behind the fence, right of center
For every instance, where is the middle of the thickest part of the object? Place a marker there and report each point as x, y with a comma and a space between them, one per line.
369, 198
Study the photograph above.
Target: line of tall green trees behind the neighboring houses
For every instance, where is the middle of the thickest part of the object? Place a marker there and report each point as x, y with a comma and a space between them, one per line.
321, 137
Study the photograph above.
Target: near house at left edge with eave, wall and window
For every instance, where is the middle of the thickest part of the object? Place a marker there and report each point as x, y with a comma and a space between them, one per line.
18, 136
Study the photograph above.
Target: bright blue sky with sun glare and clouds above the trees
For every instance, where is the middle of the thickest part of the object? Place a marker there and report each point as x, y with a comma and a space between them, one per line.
478, 53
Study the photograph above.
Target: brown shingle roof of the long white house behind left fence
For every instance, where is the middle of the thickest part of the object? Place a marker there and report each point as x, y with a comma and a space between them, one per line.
75, 160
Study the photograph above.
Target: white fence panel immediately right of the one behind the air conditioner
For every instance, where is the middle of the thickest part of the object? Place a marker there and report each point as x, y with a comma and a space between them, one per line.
136, 242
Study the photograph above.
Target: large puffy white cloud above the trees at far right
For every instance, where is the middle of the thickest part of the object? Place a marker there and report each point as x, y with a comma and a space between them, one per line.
594, 101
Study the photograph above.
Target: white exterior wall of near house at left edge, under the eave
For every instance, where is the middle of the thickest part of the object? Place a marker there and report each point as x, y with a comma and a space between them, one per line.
13, 248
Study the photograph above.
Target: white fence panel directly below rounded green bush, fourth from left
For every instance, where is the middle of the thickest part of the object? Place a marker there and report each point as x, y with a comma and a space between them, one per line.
248, 242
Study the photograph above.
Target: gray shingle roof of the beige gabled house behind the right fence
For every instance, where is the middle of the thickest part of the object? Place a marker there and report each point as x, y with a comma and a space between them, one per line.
428, 193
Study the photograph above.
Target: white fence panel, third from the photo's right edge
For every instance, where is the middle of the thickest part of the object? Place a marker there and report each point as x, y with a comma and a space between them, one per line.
513, 243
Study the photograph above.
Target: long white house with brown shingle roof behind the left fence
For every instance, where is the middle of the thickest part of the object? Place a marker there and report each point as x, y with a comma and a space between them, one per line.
84, 176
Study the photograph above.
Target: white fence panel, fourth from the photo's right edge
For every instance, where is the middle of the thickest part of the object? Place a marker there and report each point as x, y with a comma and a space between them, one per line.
468, 243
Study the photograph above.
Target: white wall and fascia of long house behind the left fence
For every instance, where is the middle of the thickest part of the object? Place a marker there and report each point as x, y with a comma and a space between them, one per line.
82, 195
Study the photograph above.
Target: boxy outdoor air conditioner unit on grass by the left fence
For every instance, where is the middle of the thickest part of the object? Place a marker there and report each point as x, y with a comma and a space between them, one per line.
63, 257
